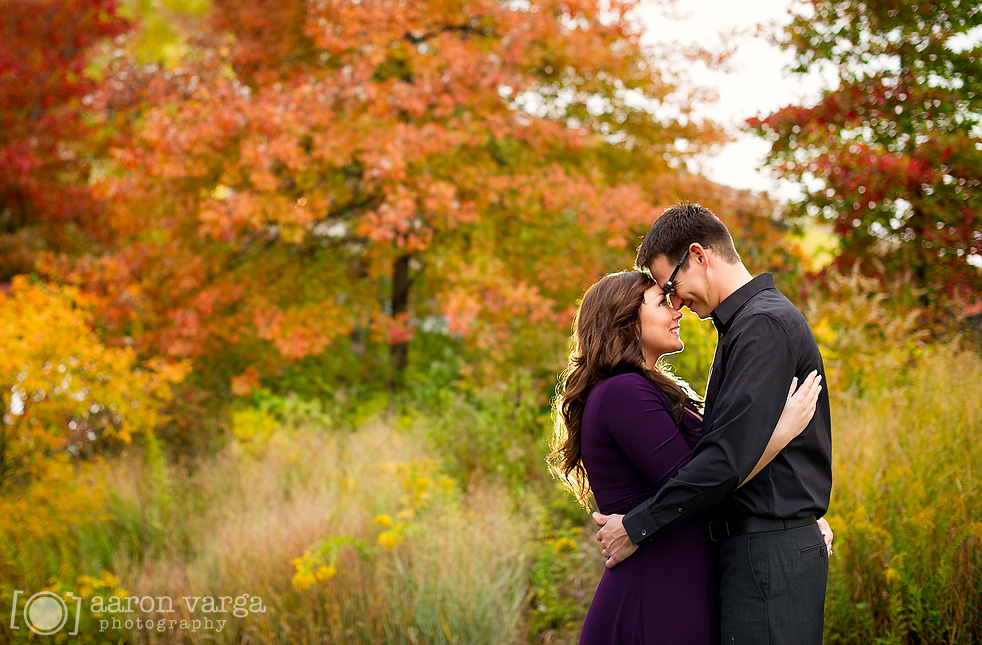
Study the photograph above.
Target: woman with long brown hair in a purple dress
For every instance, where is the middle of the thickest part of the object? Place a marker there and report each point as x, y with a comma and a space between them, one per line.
624, 427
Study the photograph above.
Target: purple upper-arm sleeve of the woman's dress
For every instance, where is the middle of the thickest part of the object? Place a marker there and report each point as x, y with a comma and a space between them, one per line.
635, 413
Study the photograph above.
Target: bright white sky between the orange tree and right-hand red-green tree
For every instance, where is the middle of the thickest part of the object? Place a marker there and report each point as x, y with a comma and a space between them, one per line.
756, 84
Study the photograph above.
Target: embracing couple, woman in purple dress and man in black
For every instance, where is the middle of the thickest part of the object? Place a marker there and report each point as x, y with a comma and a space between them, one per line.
710, 514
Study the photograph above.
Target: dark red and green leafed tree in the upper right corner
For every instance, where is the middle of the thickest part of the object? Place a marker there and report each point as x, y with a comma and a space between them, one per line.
892, 155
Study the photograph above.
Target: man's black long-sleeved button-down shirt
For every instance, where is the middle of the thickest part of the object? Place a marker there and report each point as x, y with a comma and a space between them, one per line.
763, 342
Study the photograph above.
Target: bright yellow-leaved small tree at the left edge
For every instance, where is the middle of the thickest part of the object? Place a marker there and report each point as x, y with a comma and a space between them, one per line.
62, 391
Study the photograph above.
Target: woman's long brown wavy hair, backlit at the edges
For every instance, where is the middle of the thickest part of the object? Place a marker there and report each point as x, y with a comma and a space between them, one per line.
606, 342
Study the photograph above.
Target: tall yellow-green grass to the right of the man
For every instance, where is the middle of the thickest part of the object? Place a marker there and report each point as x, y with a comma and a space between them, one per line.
907, 505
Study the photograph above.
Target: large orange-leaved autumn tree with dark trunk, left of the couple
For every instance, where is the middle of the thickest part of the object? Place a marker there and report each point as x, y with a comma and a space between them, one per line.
343, 176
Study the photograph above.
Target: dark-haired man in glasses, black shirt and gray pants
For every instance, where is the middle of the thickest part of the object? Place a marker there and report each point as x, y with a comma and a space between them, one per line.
773, 562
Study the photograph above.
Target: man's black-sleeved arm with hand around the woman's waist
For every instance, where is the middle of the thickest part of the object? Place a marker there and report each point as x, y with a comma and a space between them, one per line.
759, 365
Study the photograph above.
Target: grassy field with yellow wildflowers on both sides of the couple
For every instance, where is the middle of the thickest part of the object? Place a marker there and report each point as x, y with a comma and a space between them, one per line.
391, 532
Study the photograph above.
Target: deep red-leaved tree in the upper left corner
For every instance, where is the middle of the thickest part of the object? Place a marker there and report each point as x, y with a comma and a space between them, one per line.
46, 131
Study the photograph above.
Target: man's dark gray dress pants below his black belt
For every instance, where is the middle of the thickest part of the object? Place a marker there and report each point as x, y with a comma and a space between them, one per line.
772, 587
